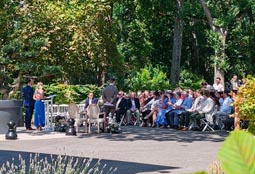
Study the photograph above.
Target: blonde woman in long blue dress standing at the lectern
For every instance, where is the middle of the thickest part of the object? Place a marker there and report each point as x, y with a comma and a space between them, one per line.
39, 116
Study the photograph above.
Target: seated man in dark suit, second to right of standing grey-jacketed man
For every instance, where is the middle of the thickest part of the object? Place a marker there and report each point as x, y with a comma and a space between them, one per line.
133, 106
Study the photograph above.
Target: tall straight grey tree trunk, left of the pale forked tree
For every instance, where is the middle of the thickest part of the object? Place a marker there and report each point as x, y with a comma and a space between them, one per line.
177, 46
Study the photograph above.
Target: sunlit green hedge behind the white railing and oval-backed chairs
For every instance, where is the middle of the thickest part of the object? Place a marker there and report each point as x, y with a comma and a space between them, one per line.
71, 93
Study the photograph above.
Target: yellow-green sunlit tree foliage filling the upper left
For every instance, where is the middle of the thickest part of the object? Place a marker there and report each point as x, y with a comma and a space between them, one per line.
62, 38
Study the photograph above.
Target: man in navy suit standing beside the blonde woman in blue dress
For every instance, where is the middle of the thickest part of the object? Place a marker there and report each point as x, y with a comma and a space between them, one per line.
27, 94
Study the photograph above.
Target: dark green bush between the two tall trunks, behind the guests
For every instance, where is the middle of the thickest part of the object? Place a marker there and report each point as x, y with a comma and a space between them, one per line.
190, 80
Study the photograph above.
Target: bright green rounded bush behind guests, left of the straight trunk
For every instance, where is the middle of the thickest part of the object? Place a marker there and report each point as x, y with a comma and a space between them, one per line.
148, 78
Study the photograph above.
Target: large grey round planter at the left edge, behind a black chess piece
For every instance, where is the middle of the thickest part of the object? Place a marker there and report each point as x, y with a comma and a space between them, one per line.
10, 110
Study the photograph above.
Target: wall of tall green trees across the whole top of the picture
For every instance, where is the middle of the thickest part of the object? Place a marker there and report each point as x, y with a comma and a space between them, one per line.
87, 41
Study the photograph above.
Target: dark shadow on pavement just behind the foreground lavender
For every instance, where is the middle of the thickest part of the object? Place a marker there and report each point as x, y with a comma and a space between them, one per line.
122, 166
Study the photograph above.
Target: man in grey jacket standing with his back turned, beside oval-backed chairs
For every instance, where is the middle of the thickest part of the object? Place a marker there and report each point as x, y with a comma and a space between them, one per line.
109, 96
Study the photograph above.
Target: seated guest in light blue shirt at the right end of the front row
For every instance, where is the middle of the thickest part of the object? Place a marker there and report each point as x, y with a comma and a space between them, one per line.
225, 109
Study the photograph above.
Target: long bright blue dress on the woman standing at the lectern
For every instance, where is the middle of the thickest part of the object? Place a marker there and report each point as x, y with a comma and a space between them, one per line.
39, 117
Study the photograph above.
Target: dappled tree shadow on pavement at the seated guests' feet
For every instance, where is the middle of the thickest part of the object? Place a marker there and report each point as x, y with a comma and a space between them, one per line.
133, 133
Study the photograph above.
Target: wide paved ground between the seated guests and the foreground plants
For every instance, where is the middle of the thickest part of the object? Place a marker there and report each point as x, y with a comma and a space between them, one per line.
134, 151
